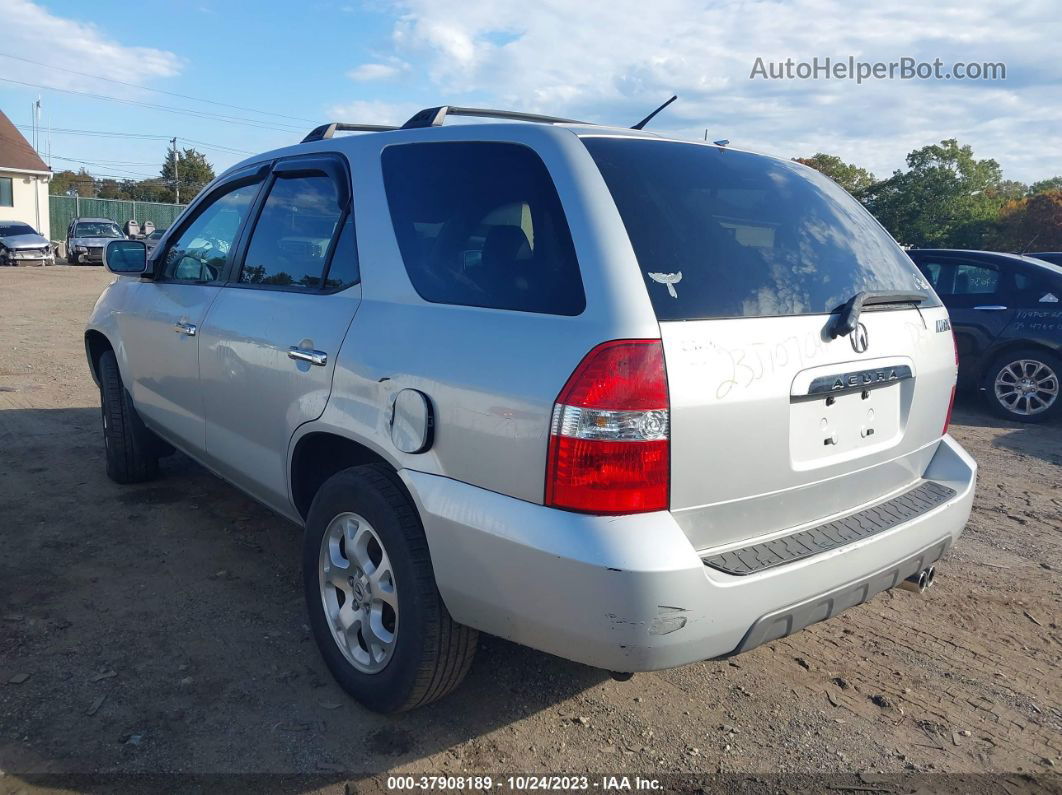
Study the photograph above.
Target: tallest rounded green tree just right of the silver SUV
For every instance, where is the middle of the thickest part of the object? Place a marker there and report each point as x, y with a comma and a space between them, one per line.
946, 199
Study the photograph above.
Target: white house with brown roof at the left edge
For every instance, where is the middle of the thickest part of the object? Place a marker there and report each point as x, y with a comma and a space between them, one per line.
24, 180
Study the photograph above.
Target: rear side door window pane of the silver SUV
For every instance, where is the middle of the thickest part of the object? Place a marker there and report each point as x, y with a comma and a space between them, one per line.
292, 240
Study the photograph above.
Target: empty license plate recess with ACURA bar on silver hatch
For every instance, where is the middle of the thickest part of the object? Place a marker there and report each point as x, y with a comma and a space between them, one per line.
864, 414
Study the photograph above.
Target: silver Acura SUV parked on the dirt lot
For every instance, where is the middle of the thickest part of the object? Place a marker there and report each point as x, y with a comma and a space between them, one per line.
628, 401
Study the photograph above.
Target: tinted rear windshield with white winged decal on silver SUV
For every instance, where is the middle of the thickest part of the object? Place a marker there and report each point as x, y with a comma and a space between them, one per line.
727, 234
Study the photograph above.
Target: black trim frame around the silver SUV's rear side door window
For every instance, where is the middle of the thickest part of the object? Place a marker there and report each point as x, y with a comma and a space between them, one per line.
331, 165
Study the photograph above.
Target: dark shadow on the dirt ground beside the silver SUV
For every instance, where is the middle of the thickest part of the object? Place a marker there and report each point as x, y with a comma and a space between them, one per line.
162, 629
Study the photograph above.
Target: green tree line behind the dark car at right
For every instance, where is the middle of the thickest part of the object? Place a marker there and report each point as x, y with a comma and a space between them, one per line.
948, 199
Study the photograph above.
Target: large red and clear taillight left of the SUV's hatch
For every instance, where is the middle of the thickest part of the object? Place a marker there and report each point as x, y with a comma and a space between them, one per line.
609, 443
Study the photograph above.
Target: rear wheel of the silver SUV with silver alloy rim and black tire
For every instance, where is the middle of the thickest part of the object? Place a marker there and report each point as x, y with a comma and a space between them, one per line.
430, 654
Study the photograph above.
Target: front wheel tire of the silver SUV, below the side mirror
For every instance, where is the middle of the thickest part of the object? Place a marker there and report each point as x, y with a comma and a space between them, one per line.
132, 451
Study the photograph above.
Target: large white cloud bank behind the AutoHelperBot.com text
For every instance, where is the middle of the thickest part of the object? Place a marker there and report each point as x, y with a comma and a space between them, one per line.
612, 61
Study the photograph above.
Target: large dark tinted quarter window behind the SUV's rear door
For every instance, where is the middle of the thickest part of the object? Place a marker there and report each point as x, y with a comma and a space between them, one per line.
482, 226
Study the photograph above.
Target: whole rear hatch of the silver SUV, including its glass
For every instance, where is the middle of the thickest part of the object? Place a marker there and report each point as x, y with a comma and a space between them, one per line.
749, 263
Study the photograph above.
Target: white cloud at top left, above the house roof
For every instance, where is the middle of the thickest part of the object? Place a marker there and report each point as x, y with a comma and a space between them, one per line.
31, 31
